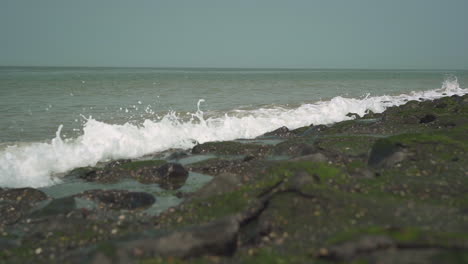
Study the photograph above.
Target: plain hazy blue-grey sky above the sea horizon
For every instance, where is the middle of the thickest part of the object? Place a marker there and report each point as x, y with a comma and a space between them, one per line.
364, 34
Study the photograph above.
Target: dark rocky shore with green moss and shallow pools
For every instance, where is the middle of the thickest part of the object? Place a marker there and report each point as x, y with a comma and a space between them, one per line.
382, 188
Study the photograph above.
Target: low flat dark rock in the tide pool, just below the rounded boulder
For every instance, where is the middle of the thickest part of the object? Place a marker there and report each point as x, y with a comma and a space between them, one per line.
120, 199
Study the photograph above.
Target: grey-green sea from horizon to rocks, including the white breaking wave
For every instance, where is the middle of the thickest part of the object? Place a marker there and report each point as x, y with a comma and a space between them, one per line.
55, 119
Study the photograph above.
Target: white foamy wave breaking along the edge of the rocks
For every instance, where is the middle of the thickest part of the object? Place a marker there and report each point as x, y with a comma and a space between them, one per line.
33, 164
